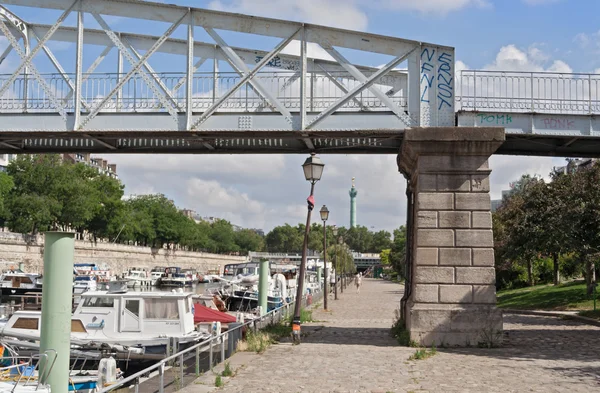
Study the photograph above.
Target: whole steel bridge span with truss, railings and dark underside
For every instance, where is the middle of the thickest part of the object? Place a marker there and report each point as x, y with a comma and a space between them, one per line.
213, 97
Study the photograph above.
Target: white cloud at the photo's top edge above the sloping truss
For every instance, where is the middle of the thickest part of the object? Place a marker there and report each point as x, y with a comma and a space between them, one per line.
337, 13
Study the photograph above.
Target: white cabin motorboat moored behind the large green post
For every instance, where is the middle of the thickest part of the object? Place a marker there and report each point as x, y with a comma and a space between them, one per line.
146, 320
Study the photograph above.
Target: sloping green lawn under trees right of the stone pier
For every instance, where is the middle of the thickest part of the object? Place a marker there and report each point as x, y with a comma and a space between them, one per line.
569, 296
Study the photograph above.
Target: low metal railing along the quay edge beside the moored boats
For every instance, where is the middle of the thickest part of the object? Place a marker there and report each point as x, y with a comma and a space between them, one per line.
274, 316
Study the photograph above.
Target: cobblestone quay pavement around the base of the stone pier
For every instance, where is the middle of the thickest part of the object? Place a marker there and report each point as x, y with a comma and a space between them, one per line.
350, 350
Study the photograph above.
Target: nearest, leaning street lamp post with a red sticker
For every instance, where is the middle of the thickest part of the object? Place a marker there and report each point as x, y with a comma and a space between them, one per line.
313, 170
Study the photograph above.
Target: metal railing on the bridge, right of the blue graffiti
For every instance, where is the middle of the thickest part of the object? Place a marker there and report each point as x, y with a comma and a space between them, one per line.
529, 92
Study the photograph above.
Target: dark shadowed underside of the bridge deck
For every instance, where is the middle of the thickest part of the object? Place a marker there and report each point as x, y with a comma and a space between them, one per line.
374, 141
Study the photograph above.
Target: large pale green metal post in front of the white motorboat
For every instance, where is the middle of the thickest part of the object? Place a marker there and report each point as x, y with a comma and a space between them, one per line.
59, 250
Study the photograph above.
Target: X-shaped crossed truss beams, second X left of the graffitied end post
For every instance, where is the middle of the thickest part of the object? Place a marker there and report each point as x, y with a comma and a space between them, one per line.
248, 75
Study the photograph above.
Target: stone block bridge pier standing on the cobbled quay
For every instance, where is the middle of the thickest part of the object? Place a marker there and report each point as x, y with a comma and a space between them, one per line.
451, 296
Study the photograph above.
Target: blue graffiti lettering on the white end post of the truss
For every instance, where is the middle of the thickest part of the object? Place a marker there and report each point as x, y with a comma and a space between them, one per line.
442, 76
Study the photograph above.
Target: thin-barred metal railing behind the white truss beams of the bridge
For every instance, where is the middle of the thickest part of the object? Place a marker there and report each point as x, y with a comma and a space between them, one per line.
26, 94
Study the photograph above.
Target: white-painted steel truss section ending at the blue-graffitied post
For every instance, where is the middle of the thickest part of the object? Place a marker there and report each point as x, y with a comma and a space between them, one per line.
308, 93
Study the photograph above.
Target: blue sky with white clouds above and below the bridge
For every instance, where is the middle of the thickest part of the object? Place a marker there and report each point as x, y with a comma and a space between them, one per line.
263, 191
